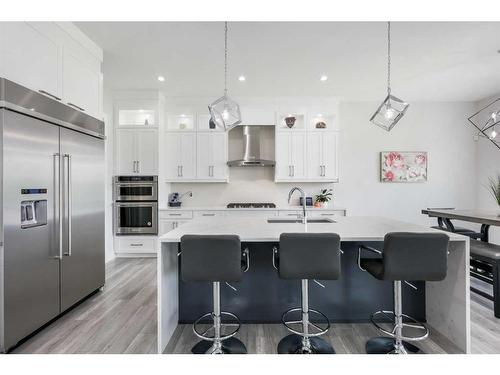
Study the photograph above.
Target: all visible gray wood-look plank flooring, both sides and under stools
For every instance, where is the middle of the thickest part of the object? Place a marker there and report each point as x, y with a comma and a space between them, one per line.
122, 319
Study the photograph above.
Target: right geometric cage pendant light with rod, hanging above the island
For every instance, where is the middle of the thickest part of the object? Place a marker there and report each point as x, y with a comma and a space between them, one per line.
392, 109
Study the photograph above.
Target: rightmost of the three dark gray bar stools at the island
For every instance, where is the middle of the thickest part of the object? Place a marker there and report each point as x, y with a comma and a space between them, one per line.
405, 256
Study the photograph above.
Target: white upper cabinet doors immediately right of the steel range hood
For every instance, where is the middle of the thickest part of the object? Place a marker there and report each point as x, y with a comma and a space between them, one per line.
290, 156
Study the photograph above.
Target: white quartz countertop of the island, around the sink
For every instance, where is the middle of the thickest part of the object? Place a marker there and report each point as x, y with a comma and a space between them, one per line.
257, 229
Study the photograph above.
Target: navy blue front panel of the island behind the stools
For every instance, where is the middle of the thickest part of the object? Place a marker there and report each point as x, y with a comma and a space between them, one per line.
262, 297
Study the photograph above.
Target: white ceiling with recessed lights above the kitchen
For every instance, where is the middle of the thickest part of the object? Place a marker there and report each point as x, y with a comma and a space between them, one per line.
431, 61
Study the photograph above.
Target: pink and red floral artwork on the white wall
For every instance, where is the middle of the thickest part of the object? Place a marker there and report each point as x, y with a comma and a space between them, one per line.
403, 166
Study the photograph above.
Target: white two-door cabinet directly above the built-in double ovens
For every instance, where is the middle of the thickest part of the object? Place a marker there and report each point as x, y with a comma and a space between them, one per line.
137, 151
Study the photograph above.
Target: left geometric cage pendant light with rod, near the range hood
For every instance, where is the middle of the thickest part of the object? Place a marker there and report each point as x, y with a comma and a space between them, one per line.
225, 112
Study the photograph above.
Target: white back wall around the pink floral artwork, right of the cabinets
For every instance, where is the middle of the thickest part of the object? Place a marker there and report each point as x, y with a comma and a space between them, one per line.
441, 129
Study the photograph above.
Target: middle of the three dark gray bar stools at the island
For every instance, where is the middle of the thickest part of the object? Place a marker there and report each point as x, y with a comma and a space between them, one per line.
306, 256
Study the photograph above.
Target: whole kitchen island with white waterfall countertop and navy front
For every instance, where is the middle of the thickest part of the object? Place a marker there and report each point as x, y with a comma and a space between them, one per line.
443, 305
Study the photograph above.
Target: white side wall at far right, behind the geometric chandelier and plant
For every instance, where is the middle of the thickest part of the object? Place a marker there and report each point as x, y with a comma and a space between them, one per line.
488, 165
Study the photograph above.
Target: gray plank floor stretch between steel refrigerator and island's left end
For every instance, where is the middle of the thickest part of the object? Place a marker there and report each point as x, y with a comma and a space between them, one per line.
121, 319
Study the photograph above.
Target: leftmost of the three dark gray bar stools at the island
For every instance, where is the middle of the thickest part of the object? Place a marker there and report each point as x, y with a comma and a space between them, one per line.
216, 259
